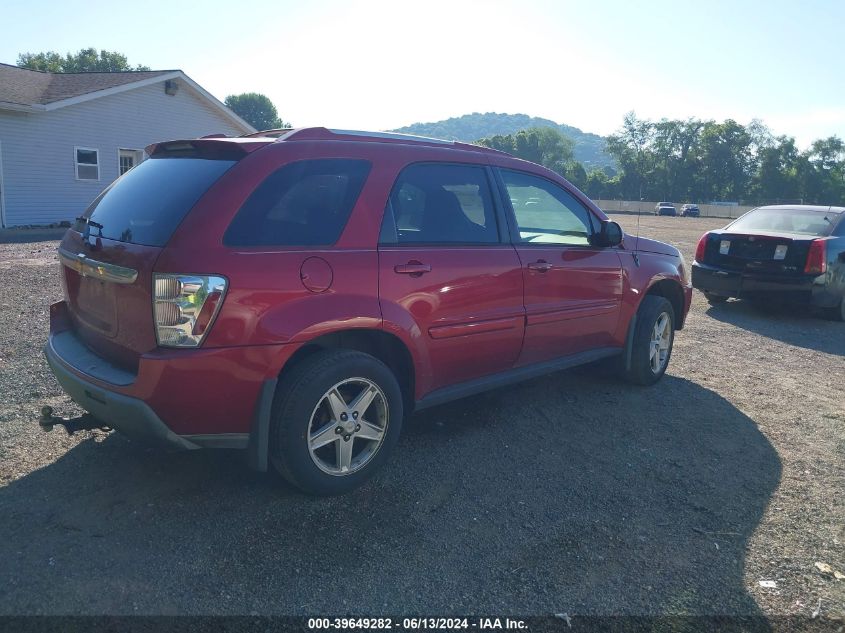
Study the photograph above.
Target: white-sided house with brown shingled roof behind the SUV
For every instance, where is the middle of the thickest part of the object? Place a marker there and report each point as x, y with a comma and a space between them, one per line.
64, 137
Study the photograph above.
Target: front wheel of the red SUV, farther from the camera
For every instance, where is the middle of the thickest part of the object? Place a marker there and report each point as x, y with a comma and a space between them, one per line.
653, 339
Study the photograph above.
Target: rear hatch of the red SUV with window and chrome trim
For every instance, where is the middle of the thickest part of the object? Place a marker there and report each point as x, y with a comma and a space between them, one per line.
108, 256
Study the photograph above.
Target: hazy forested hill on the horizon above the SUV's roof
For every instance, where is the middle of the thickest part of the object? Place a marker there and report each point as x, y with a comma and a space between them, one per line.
588, 149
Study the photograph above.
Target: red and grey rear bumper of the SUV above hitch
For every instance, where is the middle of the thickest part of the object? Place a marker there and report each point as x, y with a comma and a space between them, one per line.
183, 398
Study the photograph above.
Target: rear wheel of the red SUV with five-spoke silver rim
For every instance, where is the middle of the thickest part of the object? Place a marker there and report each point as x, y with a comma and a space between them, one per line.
336, 416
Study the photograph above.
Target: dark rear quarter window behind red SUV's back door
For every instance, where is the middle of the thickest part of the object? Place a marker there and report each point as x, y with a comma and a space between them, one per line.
306, 203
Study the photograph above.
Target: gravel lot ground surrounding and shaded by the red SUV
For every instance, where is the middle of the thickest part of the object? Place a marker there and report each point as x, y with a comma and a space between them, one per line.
571, 493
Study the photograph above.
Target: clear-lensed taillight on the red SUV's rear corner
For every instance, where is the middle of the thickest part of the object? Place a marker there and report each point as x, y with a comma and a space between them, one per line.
185, 307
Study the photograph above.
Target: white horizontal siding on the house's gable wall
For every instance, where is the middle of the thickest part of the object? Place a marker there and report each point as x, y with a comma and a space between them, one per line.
38, 159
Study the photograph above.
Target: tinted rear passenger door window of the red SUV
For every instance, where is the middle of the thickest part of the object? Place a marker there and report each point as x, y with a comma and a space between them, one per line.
441, 204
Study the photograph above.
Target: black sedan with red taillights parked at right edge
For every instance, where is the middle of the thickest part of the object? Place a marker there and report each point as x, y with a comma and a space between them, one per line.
791, 252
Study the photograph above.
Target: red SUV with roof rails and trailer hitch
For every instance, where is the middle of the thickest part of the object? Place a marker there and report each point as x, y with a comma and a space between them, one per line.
296, 293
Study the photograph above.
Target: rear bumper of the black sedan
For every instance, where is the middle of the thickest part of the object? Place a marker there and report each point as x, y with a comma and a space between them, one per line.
725, 283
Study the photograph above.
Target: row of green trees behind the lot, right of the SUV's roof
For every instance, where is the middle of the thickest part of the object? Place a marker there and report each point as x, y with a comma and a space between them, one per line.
694, 161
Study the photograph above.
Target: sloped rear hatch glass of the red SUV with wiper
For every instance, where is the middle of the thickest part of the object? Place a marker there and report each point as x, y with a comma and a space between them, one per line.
147, 204
